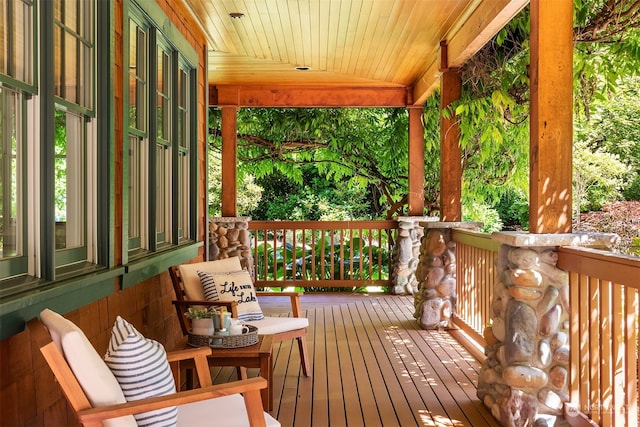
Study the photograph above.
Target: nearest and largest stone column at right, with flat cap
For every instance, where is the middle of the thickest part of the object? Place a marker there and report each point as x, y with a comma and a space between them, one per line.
524, 380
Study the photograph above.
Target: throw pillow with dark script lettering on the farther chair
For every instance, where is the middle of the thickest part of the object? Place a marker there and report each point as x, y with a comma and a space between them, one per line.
234, 286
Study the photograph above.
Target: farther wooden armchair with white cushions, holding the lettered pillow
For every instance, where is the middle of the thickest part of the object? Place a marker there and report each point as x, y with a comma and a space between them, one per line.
186, 282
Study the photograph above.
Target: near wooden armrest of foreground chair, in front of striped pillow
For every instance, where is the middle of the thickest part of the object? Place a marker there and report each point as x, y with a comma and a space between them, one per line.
250, 388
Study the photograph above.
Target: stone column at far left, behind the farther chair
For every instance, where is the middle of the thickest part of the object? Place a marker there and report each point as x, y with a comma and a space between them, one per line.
229, 237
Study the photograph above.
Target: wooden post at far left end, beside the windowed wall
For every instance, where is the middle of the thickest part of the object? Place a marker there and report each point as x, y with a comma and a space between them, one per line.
229, 158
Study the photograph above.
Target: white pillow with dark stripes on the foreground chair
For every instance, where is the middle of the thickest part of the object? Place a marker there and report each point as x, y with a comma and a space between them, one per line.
140, 365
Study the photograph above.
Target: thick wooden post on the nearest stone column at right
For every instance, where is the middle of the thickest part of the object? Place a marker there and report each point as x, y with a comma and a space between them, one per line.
551, 135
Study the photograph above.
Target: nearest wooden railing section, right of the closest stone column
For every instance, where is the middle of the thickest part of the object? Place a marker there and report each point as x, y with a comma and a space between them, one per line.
603, 335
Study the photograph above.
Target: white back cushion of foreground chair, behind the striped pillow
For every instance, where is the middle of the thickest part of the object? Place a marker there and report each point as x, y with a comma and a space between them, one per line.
94, 376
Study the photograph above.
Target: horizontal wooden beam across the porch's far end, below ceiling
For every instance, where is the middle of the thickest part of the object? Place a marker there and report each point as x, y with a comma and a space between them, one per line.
303, 96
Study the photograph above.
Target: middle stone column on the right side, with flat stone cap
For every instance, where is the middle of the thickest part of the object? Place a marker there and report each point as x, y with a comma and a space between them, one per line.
435, 299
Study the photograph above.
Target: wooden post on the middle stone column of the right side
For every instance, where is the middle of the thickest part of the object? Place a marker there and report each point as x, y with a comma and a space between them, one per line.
450, 153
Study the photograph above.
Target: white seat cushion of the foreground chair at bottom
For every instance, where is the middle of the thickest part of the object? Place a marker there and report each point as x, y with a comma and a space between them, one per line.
228, 411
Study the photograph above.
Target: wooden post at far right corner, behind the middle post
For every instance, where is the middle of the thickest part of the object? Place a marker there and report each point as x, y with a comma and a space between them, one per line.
416, 162
